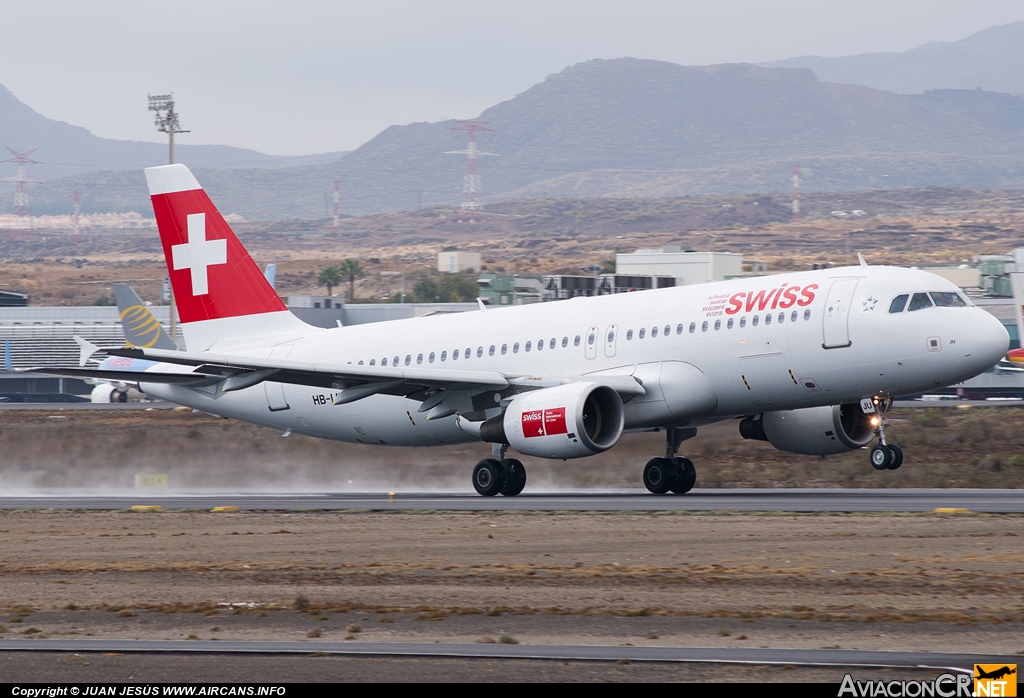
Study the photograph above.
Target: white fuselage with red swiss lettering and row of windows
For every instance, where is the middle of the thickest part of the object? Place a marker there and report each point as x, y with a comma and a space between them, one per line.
838, 343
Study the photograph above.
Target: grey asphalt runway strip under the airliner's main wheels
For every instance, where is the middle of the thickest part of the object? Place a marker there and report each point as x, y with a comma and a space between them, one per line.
797, 501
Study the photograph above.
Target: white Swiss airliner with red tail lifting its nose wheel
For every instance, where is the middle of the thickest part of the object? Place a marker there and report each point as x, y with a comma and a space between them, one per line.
808, 362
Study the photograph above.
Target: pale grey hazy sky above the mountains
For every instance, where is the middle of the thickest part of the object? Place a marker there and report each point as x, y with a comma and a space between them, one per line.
310, 76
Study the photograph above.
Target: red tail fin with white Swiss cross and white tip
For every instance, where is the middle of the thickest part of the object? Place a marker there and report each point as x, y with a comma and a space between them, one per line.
223, 298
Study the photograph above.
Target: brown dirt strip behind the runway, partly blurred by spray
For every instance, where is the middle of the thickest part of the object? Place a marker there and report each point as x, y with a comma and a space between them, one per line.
101, 452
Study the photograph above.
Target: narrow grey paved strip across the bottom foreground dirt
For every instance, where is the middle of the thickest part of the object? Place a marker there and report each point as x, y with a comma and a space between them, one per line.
798, 658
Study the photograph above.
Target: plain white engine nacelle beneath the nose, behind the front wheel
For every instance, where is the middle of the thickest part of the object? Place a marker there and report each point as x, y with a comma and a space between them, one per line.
813, 431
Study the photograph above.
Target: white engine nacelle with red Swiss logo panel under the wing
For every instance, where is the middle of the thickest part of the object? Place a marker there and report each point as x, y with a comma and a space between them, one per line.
565, 422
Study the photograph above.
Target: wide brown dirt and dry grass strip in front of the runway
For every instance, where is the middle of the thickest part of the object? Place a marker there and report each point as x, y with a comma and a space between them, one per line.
928, 583
